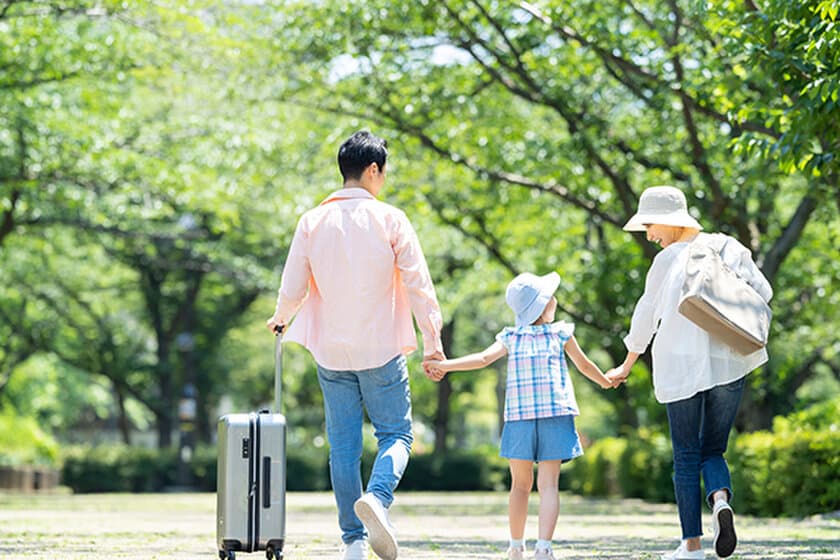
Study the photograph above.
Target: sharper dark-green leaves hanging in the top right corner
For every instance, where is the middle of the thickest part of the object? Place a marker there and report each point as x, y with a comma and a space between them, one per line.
798, 44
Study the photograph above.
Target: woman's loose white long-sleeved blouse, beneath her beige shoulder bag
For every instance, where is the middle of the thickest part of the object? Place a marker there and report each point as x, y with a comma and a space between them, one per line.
686, 359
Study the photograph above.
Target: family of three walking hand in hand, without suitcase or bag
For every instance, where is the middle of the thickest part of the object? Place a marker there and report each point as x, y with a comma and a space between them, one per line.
356, 274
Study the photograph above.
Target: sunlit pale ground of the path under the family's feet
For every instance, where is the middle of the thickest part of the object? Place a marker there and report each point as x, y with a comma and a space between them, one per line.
430, 526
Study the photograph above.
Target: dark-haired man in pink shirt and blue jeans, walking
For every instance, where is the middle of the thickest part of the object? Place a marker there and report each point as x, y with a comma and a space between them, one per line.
356, 271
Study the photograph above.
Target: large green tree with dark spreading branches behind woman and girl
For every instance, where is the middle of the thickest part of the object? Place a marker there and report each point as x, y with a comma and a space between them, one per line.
563, 113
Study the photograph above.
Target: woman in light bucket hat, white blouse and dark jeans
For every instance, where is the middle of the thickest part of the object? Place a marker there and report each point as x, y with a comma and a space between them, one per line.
699, 379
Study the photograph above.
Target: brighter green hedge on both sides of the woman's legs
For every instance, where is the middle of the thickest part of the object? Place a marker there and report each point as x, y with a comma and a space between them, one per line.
792, 471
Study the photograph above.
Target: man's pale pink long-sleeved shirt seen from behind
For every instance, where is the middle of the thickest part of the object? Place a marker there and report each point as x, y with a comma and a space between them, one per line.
354, 274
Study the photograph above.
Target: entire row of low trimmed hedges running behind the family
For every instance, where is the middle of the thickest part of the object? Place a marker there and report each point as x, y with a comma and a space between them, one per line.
794, 470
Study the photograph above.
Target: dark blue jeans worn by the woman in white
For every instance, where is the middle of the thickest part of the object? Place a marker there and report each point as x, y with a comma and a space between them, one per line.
700, 428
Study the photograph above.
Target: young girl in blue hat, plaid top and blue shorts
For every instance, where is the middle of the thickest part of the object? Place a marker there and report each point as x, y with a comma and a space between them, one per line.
540, 403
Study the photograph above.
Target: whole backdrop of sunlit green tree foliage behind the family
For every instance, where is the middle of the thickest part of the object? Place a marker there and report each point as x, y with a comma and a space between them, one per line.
155, 157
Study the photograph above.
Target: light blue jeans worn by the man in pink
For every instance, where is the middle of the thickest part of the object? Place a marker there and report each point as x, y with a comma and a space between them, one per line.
384, 393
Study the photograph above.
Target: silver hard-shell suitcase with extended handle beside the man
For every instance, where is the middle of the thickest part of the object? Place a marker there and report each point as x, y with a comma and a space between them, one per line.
251, 490
